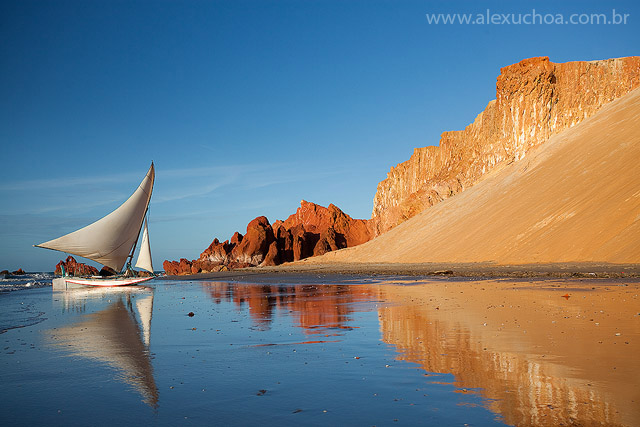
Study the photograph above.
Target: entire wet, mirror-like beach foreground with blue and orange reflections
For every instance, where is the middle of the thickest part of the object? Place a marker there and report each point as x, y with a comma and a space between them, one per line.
320, 348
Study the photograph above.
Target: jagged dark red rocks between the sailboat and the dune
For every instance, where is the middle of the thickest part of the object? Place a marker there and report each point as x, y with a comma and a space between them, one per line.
312, 230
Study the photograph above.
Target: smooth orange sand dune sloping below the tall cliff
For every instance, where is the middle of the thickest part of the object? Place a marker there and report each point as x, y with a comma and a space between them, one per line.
576, 198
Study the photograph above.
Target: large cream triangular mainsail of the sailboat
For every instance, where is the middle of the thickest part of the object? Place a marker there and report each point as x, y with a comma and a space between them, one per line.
109, 240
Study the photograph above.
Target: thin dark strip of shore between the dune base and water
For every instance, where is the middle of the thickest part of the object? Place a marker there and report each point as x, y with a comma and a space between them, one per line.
304, 270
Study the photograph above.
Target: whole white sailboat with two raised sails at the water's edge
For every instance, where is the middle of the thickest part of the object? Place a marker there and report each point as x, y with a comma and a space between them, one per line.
111, 241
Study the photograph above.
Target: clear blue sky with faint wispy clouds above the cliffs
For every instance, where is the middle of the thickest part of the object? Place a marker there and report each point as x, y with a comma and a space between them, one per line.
246, 107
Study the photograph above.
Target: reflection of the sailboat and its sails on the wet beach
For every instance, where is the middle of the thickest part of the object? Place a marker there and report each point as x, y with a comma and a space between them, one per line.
114, 336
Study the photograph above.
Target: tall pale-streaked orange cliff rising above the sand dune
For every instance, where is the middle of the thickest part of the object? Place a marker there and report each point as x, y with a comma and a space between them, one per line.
535, 99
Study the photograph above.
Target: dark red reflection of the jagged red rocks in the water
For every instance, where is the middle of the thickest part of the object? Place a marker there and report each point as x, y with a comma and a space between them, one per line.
316, 308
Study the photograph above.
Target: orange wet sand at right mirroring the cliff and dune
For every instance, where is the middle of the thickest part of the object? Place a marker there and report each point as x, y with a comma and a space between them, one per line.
549, 352
